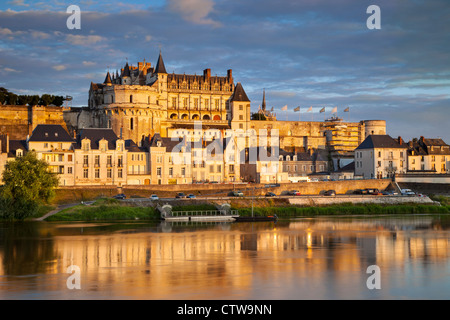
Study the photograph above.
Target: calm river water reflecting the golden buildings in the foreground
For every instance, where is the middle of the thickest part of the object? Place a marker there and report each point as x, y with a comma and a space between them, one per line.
301, 258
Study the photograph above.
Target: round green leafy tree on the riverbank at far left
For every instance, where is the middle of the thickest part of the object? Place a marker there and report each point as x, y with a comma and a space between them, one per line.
27, 184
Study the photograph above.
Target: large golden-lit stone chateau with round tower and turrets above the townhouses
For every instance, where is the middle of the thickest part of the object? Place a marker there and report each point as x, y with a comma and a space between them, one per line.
142, 100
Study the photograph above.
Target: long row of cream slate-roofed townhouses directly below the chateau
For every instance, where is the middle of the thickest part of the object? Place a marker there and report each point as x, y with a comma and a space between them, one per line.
98, 156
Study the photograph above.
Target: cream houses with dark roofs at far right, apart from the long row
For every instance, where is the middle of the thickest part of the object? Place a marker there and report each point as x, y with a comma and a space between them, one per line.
381, 156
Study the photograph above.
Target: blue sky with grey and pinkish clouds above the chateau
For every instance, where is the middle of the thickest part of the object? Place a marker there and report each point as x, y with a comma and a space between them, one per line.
305, 53
